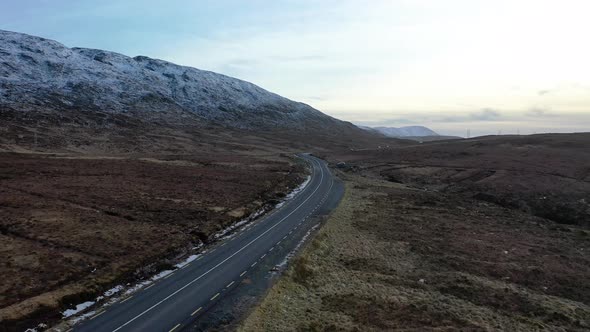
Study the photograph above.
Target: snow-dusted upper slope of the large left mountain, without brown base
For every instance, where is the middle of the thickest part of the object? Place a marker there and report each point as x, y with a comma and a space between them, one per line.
38, 74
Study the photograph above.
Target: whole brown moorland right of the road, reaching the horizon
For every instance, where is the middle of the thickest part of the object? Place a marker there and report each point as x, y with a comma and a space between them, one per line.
480, 235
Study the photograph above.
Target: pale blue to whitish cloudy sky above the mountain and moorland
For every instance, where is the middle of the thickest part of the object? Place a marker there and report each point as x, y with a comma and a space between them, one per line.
453, 65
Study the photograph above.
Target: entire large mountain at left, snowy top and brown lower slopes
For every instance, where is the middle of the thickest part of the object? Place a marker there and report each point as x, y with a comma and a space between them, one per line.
56, 98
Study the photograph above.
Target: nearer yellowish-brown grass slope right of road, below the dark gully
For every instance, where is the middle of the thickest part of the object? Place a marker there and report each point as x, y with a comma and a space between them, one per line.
395, 258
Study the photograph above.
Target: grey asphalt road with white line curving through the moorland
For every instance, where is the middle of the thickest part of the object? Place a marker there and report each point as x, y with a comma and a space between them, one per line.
176, 301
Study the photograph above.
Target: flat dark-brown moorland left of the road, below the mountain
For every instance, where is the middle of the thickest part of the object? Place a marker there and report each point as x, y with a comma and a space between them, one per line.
72, 225
